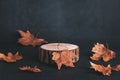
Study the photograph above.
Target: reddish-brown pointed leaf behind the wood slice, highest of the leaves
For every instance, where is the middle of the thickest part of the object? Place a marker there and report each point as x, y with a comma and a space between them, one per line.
28, 39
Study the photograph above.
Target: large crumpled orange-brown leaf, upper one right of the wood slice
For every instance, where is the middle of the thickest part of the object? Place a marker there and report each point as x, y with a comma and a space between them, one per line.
100, 51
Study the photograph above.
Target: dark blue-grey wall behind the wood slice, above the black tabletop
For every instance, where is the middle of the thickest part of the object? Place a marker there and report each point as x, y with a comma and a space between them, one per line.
75, 21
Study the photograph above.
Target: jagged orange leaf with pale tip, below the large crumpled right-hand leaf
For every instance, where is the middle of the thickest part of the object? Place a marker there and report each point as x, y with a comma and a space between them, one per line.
106, 71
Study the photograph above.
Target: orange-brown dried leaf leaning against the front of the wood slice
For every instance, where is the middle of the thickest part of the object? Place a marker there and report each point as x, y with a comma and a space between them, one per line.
64, 58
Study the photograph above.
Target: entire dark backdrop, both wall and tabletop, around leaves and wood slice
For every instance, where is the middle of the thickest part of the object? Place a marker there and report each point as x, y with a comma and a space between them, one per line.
81, 22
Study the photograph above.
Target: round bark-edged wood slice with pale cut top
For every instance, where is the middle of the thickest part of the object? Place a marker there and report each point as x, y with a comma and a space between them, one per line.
46, 50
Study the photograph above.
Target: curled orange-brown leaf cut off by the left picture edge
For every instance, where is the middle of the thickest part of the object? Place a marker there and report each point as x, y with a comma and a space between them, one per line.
10, 57
